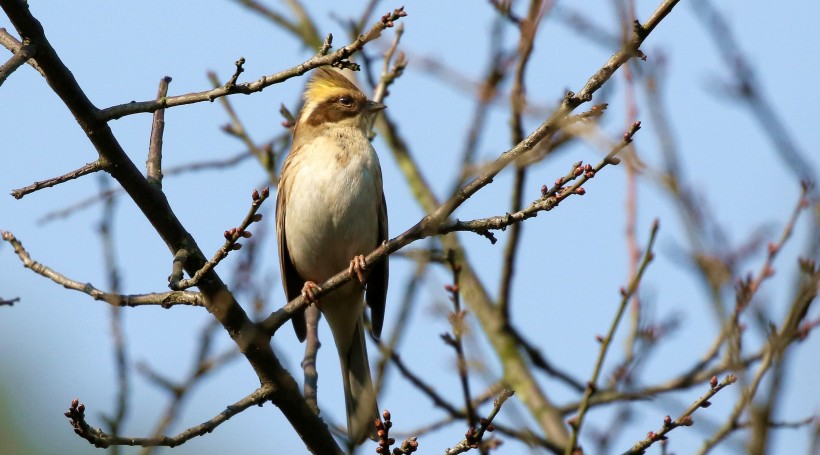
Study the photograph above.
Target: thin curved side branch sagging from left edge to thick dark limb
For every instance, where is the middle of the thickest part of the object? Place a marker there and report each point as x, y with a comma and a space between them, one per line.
163, 299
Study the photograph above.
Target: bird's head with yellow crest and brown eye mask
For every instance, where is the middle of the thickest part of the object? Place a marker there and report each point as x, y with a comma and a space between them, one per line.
332, 100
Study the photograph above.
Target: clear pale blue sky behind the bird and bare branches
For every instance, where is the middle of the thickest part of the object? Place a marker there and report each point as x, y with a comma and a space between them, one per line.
55, 344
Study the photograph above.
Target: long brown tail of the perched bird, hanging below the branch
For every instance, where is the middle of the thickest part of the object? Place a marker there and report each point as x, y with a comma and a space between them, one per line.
360, 397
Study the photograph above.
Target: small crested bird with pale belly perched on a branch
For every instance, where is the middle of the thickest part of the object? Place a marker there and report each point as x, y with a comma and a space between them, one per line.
330, 211
